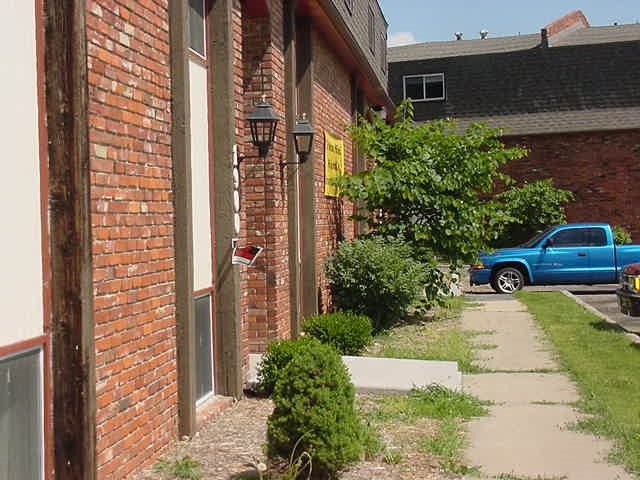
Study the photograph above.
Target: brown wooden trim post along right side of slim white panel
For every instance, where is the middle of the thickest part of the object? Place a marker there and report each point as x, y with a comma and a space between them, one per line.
228, 365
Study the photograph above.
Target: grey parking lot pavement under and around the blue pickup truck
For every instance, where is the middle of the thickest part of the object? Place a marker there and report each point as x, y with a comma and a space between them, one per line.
601, 298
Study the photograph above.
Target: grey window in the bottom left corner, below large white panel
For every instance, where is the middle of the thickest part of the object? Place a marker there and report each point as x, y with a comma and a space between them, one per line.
21, 437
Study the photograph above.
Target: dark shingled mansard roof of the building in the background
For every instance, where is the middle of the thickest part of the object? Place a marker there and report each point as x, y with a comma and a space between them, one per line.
587, 79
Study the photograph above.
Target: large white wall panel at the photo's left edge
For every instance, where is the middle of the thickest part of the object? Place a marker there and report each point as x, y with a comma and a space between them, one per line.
20, 215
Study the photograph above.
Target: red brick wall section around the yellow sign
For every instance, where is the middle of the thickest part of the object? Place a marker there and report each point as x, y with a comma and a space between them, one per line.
332, 113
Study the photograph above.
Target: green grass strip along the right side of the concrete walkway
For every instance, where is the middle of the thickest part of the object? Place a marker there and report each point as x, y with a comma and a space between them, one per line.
603, 362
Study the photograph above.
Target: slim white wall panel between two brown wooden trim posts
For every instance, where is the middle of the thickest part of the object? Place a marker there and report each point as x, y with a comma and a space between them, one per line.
202, 276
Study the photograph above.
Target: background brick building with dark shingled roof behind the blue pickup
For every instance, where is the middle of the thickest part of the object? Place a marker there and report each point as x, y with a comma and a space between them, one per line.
568, 94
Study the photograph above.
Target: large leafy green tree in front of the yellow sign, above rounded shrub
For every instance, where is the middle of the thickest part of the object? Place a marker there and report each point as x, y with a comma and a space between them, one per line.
431, 183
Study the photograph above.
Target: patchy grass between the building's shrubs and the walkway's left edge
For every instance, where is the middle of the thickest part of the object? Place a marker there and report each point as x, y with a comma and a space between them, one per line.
435, 336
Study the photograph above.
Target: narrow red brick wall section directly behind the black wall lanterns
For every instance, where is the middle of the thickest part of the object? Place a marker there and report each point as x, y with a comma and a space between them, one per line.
265, 286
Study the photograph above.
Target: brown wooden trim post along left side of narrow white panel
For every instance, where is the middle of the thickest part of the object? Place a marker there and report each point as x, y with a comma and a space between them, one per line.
183, 228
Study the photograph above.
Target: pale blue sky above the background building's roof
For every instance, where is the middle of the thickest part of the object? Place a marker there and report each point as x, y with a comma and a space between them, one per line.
413, 21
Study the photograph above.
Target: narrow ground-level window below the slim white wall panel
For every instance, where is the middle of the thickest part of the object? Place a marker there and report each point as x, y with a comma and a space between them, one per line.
204, 364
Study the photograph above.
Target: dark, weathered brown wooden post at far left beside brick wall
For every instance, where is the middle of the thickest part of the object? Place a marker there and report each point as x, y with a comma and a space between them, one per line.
72, 334
